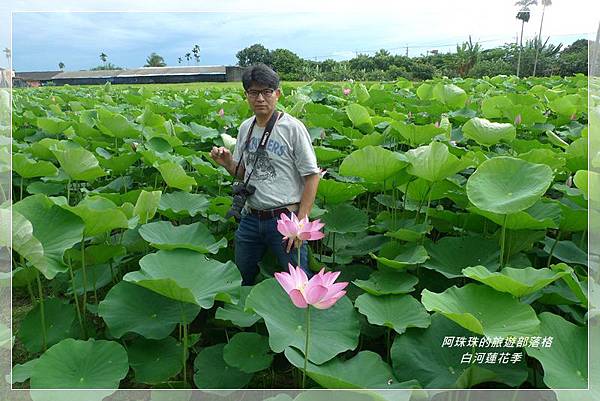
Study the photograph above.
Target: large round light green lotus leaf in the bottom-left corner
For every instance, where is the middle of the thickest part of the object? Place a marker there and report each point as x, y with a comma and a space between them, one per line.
73, 364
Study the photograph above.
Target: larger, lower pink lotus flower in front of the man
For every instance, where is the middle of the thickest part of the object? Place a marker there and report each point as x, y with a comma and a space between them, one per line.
320, 291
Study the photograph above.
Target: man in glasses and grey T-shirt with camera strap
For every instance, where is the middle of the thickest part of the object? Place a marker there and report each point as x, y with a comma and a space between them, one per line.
284, 172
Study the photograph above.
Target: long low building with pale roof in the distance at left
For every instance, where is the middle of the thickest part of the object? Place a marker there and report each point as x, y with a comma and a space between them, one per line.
144, 75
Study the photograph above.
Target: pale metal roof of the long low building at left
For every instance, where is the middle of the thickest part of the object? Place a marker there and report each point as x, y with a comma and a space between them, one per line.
144, 71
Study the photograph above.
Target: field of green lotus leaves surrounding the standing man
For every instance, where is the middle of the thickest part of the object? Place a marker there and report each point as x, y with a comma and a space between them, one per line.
456, 209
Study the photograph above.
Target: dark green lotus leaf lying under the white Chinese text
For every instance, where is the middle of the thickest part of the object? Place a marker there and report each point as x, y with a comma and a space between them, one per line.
418, 354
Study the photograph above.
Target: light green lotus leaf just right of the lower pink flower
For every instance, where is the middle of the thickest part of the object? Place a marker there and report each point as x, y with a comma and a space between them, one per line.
395, 311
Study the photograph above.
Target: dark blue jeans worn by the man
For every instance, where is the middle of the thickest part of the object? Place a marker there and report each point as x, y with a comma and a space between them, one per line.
252, 238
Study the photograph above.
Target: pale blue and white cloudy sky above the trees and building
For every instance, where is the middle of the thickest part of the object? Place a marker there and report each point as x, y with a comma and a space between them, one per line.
76, 32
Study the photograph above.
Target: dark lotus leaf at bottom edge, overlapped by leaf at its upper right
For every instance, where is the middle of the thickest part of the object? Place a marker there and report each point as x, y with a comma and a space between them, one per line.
213, 372
